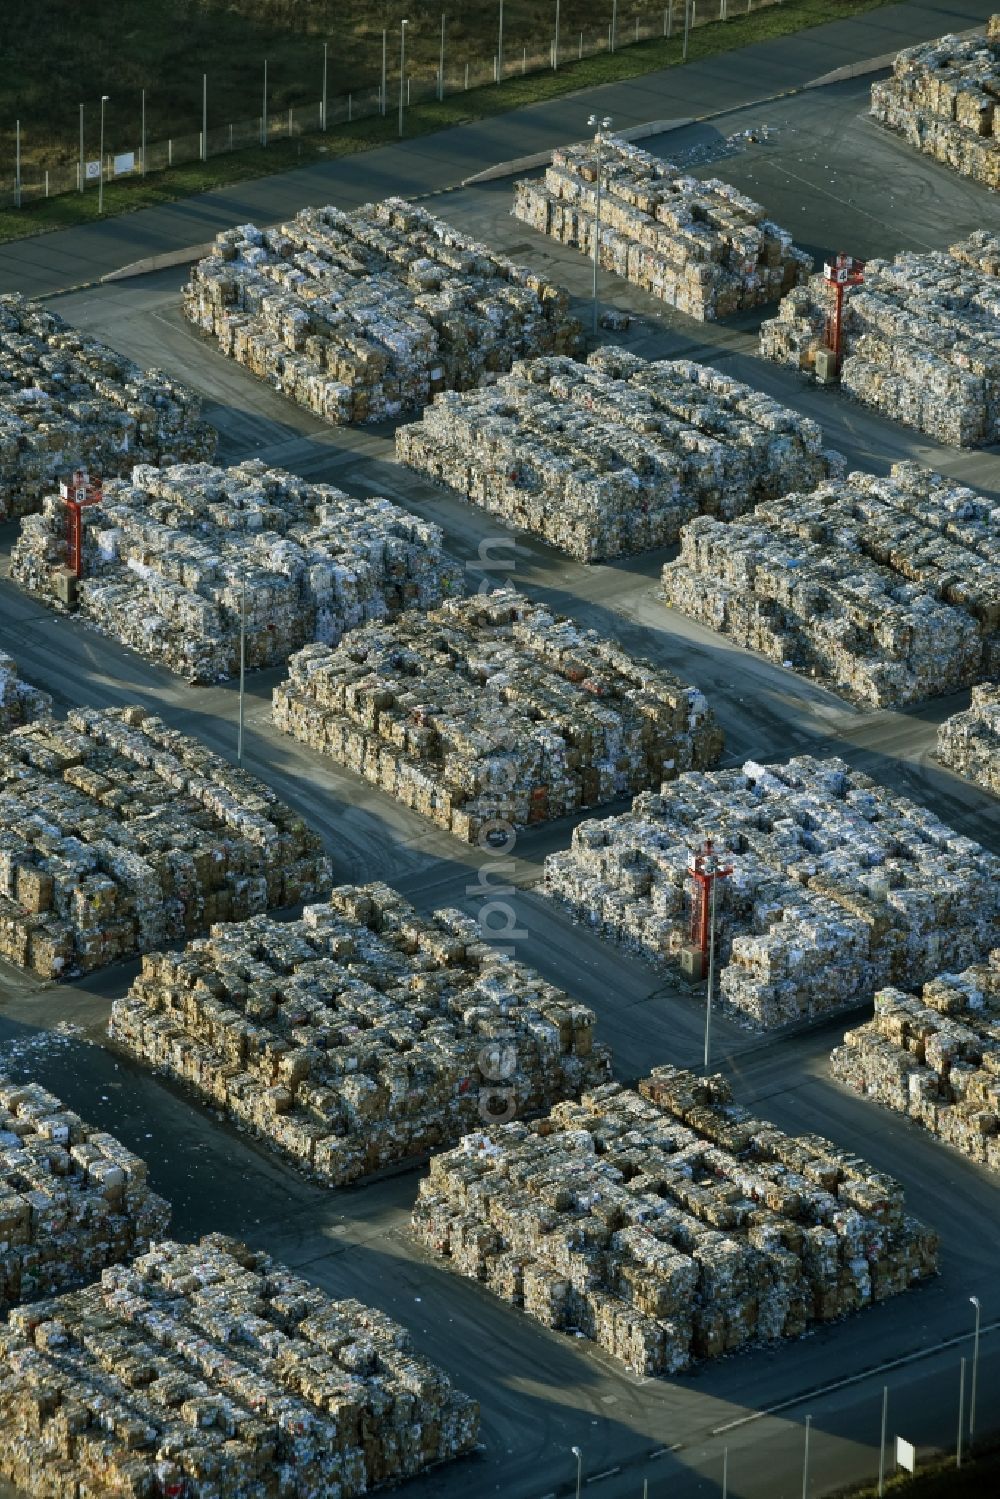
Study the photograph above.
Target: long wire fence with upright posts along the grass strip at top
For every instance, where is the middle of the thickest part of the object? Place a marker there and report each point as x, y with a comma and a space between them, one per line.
130, 160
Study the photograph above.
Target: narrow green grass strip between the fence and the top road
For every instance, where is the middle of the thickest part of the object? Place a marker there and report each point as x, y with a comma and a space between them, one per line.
128, 196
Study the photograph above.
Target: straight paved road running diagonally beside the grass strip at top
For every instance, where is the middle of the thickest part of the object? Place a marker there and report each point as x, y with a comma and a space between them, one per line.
71, 257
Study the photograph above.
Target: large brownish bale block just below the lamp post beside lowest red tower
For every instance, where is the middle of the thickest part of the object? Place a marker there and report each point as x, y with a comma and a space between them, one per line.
669, 1224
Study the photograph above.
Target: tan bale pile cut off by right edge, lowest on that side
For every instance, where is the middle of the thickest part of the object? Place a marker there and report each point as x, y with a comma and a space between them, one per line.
936, 1059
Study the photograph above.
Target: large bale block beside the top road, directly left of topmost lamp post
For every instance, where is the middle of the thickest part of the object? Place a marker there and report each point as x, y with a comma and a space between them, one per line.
367, 314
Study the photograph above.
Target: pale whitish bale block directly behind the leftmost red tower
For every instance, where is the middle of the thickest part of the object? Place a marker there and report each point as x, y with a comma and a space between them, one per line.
175, 560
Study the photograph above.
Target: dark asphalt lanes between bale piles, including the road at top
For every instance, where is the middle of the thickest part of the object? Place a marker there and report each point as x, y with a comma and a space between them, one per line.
830, 176
